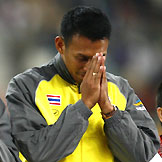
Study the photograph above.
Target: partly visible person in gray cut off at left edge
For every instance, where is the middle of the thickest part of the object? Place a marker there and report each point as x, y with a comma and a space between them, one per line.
8, 151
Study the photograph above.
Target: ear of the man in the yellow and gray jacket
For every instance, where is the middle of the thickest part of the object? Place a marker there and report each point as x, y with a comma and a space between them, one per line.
60, 45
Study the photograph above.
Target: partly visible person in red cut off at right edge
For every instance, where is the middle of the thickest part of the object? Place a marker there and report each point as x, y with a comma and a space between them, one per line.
159, 112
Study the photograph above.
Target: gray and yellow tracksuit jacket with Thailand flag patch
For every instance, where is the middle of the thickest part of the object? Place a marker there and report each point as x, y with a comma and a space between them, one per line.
51, 123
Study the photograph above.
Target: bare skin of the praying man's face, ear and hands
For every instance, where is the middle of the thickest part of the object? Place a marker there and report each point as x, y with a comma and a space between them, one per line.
82, 58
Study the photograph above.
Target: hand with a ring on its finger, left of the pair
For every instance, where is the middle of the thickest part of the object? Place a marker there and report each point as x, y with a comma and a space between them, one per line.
90, 86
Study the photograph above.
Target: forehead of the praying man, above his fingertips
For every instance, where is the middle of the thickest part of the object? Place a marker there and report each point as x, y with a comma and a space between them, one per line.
83, 45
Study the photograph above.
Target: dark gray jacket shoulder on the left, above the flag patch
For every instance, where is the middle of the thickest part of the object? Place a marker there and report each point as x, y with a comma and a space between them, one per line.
29, 79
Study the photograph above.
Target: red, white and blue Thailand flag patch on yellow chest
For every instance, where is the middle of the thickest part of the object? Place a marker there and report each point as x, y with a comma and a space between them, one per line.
54, 100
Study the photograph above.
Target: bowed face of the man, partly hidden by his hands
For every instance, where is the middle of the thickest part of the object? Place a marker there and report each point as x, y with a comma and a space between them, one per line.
79, 52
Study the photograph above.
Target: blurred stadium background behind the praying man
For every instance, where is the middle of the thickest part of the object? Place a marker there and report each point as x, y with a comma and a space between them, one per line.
28, 29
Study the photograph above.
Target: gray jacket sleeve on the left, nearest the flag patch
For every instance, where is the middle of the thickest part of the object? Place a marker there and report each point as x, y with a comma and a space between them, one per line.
36, 140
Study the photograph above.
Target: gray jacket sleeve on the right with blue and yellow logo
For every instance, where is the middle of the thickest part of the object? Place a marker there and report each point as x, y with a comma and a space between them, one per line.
132, 134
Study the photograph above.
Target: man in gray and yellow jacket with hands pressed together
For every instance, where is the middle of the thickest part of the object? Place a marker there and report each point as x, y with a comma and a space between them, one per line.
71, 110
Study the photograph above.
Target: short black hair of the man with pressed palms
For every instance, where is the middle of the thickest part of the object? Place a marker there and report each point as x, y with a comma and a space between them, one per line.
87, 21
